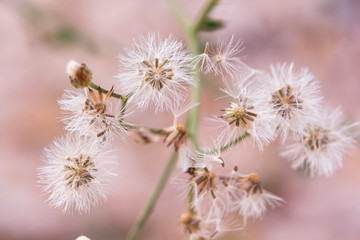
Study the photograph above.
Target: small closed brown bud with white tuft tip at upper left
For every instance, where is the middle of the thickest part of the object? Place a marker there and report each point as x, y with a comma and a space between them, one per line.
79, 74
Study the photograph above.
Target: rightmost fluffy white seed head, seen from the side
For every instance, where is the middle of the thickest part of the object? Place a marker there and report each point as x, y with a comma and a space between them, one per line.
322, 145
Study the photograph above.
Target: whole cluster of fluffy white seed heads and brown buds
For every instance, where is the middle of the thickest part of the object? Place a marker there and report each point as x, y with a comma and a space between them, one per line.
156, 73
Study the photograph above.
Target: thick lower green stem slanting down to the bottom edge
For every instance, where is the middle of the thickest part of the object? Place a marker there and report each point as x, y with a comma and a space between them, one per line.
150, 205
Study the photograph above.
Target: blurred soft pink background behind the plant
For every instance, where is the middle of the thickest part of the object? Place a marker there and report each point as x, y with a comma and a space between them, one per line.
38, 38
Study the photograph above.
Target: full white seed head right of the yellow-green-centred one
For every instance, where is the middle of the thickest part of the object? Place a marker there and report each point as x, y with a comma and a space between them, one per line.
294, 96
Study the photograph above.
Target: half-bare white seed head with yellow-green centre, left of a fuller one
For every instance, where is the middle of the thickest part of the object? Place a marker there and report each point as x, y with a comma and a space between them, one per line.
248, 112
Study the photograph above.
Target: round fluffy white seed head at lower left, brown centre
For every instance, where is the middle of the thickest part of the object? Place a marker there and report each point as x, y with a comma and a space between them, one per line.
76, 173
